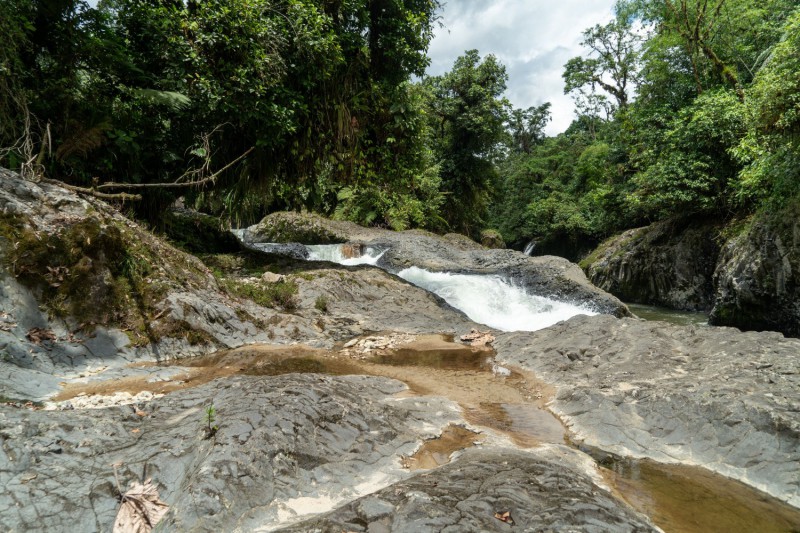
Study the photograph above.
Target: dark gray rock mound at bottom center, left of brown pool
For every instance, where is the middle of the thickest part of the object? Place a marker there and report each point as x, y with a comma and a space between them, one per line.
537, 492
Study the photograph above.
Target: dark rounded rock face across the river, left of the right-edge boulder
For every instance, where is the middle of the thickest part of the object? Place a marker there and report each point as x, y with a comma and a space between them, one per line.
669, 263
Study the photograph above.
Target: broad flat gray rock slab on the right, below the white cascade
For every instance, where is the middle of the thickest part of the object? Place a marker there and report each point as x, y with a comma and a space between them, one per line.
713, 397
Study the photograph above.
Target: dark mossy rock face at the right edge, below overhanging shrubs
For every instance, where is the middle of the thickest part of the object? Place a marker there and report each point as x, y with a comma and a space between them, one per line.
758, 276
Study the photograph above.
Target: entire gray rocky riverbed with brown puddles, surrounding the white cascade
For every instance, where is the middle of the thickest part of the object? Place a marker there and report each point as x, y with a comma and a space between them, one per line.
261, 392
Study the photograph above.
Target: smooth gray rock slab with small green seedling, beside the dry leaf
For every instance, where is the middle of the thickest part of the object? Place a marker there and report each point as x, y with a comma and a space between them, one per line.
282, 441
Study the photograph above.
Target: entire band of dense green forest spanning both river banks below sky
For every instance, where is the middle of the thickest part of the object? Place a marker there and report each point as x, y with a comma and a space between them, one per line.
244, 107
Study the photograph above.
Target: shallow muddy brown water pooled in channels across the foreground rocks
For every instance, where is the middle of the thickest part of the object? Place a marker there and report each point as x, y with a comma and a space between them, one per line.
677, 498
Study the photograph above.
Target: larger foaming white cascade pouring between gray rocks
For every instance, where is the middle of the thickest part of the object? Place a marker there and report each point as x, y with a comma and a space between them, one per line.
492, 301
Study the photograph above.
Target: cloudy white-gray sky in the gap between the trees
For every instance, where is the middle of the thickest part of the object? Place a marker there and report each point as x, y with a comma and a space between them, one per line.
532, 38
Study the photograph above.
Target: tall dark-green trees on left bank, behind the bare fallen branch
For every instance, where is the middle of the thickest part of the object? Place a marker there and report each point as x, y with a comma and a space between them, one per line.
319, 89
